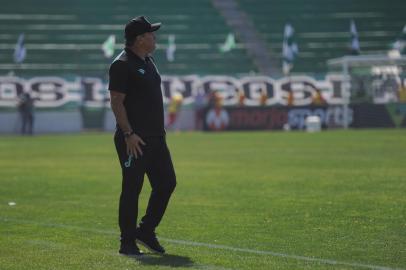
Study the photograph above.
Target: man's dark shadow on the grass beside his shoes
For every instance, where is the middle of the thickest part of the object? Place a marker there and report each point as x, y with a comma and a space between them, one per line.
166, 260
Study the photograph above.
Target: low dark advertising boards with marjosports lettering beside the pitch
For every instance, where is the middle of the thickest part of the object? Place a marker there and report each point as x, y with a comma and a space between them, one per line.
294, 118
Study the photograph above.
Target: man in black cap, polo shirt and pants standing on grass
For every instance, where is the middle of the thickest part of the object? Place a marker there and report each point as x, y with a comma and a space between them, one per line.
136, 100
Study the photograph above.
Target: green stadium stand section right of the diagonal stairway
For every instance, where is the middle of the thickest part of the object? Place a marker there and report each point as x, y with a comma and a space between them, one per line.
322, 27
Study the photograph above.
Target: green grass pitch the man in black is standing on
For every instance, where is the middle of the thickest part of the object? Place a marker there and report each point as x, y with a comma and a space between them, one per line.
259, 200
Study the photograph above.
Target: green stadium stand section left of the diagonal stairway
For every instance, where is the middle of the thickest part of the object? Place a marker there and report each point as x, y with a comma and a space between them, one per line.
65, 37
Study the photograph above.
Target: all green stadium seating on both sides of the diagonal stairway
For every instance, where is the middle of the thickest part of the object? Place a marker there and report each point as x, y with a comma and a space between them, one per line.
65, 37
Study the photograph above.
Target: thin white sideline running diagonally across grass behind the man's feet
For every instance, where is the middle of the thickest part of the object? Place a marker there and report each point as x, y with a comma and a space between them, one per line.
212, 246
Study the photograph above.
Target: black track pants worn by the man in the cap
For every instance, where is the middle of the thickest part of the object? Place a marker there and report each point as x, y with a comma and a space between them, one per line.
157, 164
